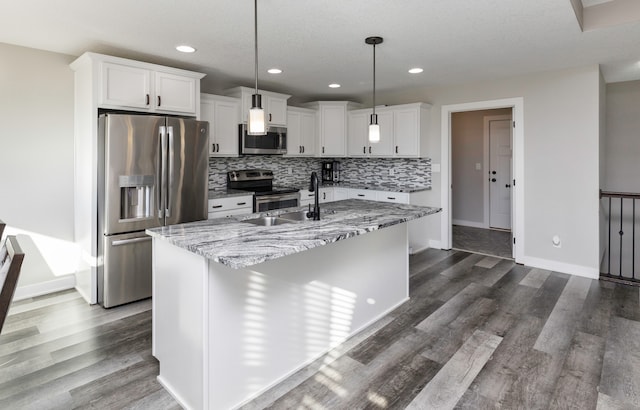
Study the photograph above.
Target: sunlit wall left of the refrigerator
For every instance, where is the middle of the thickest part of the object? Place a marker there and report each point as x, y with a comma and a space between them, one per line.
36, 157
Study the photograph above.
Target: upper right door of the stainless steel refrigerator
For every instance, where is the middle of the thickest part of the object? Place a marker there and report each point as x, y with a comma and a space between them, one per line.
187, 170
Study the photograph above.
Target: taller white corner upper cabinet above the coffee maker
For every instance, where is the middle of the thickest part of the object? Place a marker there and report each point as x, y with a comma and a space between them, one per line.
332, 127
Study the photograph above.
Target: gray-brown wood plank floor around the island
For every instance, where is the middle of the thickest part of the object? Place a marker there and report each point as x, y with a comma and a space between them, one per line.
478, 333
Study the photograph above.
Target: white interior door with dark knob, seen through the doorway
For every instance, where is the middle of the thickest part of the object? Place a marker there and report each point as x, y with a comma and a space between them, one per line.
500, 153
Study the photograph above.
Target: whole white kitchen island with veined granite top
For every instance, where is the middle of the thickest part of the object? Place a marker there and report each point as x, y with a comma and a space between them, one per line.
238, 307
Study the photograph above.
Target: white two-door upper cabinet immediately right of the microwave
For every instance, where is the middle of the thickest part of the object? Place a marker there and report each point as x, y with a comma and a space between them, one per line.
301, 132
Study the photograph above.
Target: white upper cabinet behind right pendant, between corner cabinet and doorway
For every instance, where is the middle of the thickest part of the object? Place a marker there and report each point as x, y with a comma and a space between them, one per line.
402, 131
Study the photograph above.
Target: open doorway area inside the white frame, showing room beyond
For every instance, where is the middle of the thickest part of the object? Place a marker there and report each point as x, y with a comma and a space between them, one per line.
481, 159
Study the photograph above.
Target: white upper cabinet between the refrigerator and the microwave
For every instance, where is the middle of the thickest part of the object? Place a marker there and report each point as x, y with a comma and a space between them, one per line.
223, 115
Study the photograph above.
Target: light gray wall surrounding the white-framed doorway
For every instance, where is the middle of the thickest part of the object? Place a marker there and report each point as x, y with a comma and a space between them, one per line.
561, 160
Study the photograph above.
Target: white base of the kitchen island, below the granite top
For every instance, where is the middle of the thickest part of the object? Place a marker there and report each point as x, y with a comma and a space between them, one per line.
223, 336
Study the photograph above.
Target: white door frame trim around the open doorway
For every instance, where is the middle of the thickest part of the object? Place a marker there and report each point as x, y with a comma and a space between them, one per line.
517, 204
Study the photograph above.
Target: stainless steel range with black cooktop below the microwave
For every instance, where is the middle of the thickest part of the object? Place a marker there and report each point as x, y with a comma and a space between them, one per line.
266, 197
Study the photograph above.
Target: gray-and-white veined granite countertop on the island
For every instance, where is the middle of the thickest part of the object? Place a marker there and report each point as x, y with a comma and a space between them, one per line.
239, 244
